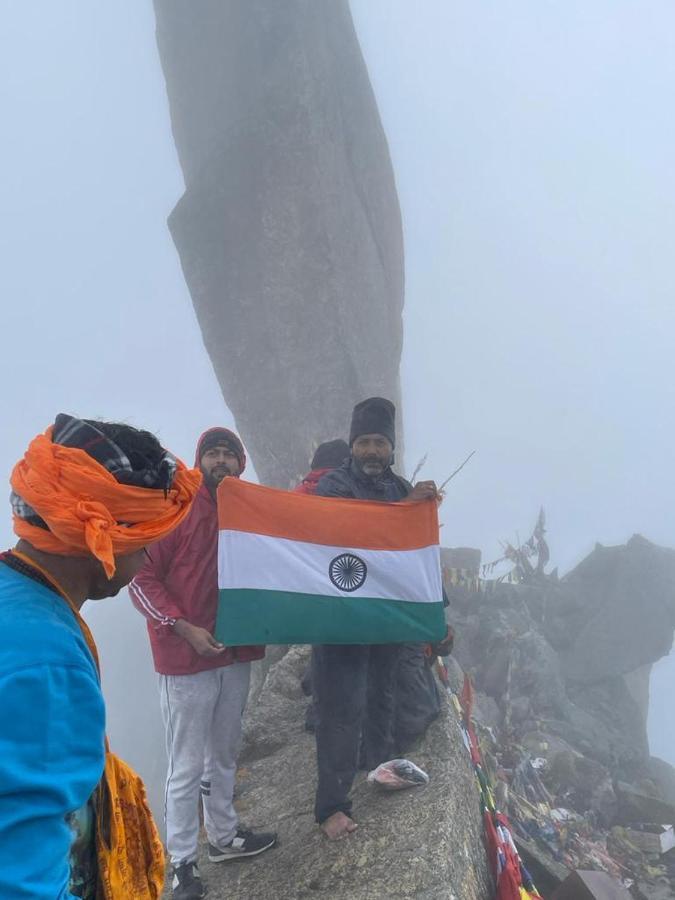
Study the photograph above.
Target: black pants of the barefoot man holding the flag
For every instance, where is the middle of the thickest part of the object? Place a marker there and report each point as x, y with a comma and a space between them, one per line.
354, 688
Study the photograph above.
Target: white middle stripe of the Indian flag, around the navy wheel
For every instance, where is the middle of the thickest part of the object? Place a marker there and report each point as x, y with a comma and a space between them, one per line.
258, 562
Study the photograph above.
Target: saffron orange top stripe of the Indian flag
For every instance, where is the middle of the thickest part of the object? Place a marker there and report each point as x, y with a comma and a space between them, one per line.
243, 506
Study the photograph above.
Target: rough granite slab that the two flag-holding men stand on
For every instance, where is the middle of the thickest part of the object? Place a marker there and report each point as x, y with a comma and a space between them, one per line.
424, 843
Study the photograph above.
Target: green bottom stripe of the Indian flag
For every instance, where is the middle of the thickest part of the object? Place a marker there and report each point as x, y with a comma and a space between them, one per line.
283, 617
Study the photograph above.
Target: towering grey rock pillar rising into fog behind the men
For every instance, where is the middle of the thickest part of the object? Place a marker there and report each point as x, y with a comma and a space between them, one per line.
289, 231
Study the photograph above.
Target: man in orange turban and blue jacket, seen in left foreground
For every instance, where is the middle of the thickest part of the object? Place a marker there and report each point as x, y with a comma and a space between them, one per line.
87, 497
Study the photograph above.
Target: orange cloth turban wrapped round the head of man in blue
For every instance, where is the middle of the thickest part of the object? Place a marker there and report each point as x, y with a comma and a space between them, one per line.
87, 511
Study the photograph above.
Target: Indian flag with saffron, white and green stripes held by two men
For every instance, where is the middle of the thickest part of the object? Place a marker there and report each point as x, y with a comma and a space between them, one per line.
299, 569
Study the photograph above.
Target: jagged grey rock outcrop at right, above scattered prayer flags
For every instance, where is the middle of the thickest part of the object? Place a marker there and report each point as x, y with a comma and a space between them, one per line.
573, 658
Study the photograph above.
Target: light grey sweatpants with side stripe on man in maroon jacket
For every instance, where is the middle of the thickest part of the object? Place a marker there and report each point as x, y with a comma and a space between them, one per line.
202, 714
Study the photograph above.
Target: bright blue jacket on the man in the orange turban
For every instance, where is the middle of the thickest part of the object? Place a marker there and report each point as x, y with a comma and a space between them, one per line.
52, 727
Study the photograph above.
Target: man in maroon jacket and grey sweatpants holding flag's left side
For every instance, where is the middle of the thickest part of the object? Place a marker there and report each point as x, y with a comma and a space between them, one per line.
203, 684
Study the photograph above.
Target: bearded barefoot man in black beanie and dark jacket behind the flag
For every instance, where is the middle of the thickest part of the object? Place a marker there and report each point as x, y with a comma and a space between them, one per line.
354, 684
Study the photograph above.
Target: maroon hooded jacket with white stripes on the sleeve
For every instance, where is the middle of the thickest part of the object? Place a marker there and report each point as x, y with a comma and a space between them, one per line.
180, 581
